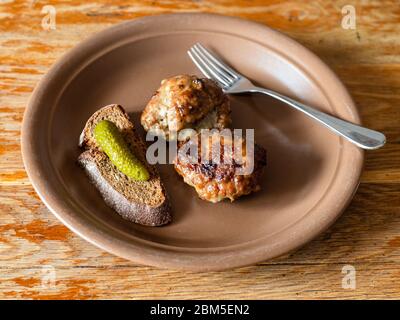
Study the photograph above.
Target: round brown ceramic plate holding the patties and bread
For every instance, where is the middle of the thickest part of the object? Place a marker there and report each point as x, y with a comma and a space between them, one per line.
311, 173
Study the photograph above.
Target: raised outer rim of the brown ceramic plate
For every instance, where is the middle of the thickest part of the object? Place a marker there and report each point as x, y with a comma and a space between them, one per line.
154, 255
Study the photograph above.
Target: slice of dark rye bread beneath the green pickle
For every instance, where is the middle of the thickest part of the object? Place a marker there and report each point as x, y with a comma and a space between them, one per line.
143, 202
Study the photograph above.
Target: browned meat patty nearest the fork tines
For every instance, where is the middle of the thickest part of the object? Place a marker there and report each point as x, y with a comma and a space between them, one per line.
186, 102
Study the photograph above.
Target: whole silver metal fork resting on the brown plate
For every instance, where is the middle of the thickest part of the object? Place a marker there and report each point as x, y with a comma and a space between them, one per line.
233, 82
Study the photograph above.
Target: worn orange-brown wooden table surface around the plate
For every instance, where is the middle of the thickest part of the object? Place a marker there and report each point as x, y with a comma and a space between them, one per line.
42, 259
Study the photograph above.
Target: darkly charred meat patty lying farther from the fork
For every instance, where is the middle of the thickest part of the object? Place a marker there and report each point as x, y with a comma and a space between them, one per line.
213, 180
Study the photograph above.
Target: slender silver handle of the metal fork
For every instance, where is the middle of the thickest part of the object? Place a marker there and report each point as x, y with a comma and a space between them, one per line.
363, 137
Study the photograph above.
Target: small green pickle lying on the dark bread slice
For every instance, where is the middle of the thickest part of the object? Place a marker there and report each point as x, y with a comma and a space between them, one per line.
116, 148
